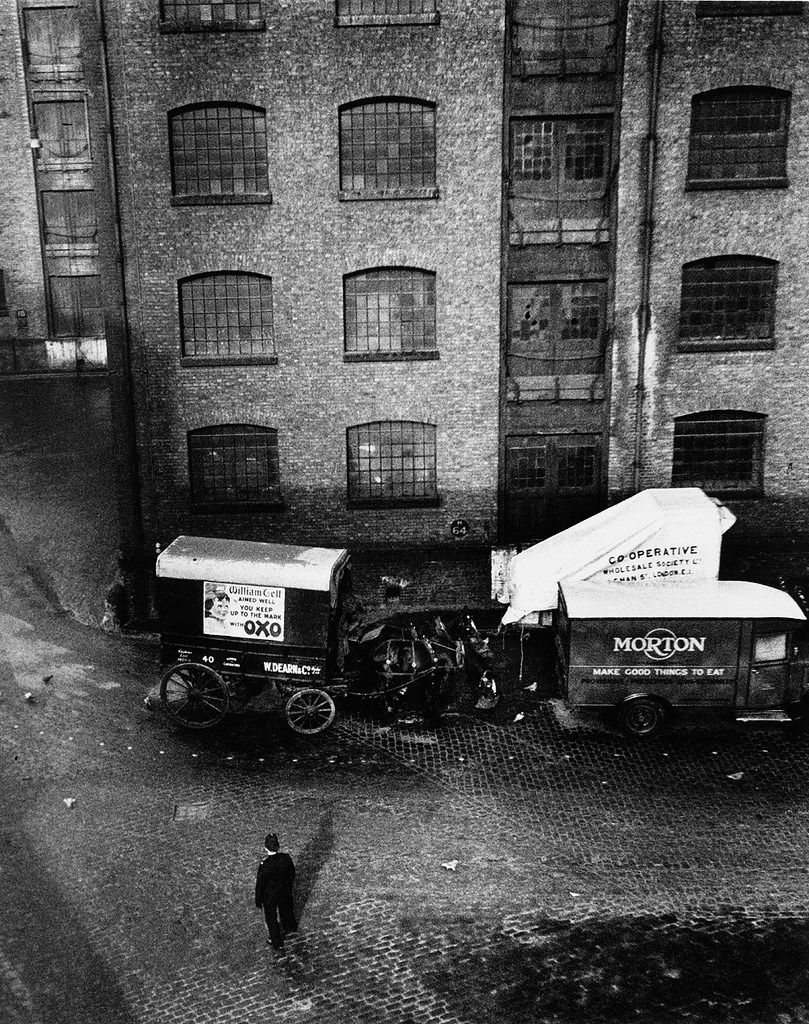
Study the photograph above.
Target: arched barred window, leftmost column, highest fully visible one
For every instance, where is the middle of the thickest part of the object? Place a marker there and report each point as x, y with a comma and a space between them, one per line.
220, 153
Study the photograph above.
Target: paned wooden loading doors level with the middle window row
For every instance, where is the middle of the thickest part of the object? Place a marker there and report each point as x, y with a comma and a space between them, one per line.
557, 328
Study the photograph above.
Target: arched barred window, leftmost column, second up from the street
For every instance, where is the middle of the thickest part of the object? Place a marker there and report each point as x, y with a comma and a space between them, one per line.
227, 315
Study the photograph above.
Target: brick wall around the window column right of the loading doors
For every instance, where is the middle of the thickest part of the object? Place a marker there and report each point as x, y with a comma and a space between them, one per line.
703, 55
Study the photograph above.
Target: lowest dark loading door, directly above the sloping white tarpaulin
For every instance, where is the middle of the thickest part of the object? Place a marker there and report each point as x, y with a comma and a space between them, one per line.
552, 482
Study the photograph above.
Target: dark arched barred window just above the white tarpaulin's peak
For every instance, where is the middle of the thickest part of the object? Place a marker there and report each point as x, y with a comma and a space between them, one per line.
719, 452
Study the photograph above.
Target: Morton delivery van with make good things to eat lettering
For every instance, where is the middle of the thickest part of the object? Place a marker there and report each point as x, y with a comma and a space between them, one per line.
647, 651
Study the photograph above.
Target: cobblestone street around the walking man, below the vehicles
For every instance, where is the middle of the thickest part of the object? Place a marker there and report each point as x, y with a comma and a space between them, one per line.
539, 870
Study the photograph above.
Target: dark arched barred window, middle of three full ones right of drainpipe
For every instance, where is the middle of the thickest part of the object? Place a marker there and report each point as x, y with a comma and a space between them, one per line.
729, 298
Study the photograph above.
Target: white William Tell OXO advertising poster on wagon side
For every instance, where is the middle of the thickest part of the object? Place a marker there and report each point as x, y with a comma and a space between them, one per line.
234, 610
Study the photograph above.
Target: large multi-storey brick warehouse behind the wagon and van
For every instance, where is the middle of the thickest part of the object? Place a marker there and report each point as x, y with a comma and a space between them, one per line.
438, 276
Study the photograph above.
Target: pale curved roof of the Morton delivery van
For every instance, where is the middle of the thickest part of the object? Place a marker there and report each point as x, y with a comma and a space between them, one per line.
703, 600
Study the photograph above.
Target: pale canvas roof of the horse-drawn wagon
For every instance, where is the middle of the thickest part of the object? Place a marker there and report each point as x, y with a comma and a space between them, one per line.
250, 563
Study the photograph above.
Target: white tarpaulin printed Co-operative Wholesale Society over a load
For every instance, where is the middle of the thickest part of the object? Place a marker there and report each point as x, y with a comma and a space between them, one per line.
657, 535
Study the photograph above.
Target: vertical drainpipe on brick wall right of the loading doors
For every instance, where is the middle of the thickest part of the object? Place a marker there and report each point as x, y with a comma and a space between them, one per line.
649, 166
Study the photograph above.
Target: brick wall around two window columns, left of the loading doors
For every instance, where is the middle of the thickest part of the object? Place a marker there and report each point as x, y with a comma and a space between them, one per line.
302, 69
